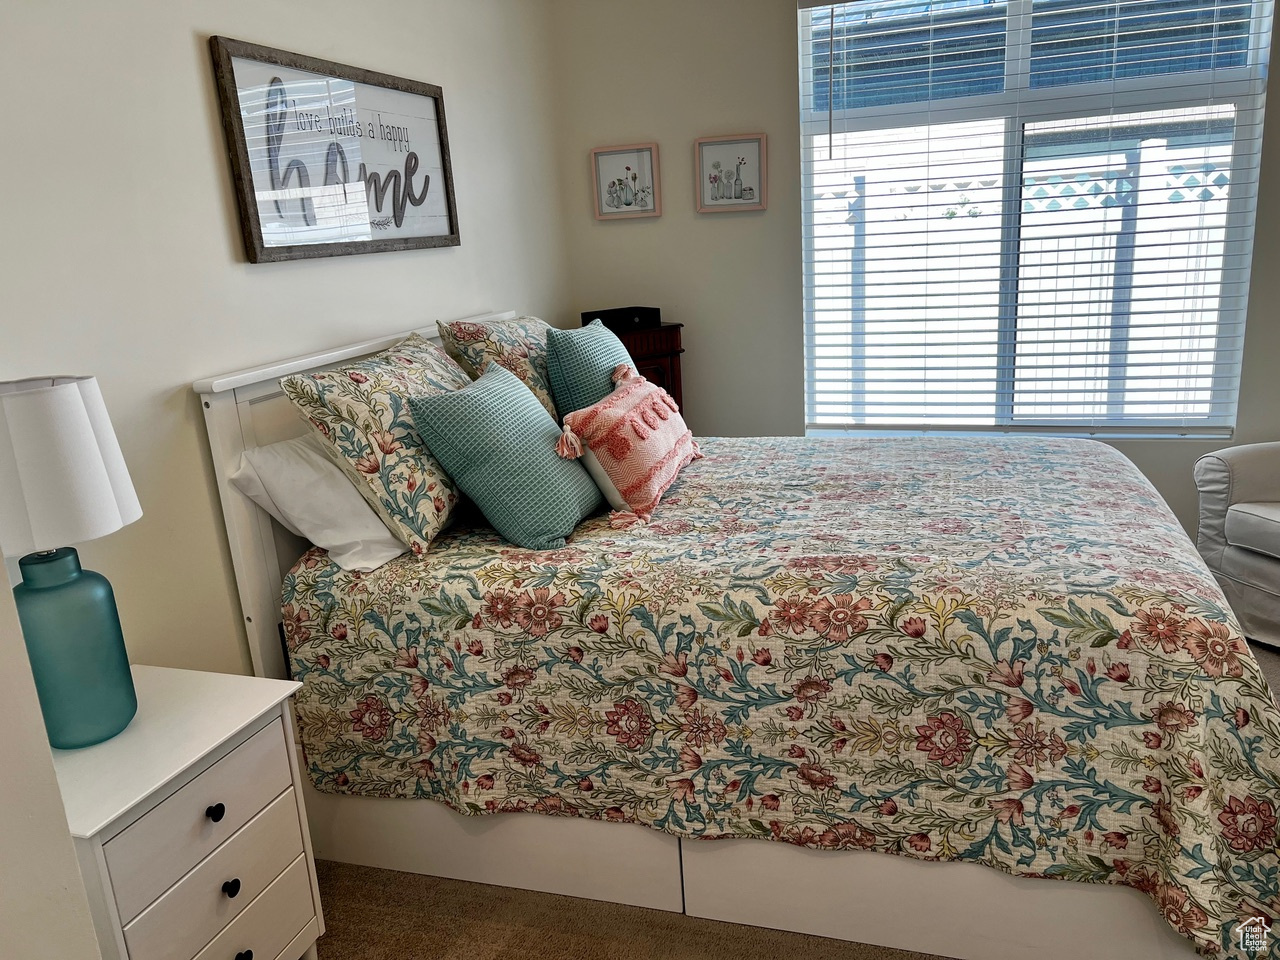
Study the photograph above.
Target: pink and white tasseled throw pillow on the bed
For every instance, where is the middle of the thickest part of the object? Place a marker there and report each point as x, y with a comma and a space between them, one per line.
638, 437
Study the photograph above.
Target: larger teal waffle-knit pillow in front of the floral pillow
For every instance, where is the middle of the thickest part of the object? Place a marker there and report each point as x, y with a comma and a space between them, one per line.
499, 444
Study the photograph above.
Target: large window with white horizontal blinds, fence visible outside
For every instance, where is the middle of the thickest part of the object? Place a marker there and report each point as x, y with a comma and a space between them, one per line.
1030, 214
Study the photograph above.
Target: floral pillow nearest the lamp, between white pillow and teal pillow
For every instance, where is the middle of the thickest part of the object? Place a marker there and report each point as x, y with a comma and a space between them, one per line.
362, 413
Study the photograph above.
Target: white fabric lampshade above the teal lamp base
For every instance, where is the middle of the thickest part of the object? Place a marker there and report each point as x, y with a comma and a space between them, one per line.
62, 476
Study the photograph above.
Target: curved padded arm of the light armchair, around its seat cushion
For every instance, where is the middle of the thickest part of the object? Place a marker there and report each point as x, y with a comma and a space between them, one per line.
1245, 474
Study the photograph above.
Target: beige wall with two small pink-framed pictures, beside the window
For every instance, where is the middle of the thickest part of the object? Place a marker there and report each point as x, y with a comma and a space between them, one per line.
692, 68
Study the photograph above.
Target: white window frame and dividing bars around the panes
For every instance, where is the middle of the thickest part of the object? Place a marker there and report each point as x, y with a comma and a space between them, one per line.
1018, 106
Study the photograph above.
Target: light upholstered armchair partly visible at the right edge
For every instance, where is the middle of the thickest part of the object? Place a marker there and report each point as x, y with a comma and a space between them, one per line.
1240, 533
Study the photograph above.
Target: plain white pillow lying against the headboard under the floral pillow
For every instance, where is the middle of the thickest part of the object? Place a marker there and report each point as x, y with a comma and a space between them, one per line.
308, 493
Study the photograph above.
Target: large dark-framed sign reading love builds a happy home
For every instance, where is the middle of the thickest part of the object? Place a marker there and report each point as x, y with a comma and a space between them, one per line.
330, 159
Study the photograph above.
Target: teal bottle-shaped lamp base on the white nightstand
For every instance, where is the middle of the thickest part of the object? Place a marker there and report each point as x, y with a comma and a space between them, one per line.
76, 648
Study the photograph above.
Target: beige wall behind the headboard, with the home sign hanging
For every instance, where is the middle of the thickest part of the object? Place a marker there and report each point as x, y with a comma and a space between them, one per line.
122, 254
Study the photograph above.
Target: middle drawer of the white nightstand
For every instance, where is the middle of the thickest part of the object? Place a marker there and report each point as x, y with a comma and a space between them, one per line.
194, 911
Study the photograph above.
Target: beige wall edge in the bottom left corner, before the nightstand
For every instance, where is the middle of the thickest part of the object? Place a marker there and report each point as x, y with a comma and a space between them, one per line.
44, 913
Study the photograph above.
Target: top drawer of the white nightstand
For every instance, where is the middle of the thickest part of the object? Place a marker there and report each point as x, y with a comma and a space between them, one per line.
150, 854
